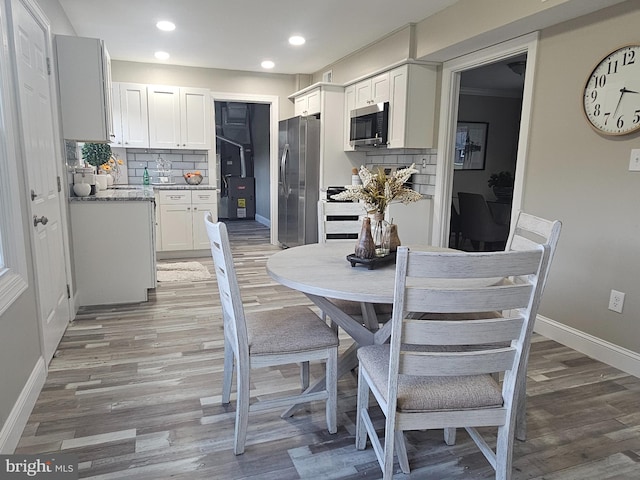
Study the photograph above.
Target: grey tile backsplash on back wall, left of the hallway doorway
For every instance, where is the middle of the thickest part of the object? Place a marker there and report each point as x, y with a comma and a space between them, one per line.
182, 161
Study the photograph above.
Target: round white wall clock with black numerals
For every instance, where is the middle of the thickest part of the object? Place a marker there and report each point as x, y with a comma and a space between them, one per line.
612, 92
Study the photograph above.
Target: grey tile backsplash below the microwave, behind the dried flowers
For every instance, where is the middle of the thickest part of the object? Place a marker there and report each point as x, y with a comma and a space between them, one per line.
424, 182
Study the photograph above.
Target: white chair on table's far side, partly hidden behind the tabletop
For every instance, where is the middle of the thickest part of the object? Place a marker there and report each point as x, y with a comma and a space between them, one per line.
343, 221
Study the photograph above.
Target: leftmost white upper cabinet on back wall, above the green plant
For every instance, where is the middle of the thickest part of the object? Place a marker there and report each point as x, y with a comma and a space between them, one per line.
130, 116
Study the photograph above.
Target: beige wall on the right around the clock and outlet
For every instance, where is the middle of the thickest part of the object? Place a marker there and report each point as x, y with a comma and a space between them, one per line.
582, 178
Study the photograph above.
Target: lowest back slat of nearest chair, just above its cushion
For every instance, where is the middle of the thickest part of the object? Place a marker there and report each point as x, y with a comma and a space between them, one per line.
444, 364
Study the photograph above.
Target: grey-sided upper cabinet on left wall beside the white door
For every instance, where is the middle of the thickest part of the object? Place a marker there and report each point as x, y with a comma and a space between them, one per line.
84, 83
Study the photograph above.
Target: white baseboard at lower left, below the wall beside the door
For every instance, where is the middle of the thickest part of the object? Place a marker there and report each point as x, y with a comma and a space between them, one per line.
17, 420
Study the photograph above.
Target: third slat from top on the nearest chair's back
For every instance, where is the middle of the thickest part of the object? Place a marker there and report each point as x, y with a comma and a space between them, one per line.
461, 332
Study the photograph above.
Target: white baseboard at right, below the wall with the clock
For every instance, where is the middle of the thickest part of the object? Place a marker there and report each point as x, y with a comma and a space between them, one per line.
609, 353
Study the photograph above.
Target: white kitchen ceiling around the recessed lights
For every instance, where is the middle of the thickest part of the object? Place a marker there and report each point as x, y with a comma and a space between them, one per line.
240, 34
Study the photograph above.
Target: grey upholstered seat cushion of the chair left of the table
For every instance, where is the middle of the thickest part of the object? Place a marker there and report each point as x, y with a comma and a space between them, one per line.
287, 330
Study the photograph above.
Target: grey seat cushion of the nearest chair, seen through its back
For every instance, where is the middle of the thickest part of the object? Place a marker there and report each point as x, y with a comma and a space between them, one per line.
420, 394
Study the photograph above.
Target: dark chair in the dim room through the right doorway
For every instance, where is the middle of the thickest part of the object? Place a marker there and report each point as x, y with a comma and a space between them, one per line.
478, 225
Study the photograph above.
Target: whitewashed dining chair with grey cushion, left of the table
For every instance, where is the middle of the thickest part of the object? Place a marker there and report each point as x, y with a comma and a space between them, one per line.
264, 339
